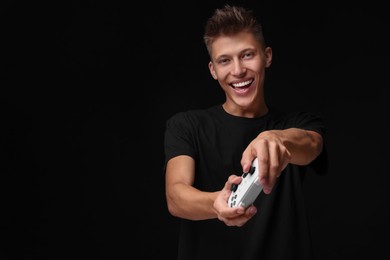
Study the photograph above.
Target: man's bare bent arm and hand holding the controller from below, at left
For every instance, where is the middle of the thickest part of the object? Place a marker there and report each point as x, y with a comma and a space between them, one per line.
185, 201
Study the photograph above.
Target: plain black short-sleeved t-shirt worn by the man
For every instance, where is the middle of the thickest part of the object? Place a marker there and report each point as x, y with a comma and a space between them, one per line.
216, 140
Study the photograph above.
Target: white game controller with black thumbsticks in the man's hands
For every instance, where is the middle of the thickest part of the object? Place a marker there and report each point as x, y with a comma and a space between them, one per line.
246, 192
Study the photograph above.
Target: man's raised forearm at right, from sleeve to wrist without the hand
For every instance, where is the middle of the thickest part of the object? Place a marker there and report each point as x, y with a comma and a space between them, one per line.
304, 146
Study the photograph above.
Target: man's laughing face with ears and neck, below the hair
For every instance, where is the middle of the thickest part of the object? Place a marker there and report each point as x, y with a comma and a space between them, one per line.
238, 62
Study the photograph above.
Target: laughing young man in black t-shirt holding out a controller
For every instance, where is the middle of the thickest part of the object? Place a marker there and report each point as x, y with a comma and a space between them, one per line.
207, 151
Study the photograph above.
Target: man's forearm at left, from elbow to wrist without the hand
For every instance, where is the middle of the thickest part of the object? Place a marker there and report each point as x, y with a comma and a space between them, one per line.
187, 202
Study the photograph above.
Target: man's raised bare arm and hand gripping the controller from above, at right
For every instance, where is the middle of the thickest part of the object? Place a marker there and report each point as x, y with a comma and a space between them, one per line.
275, 149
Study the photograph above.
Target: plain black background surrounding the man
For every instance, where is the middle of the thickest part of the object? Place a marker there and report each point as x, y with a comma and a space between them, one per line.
86, 88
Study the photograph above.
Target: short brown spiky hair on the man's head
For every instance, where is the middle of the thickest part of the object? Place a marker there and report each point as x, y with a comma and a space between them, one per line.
230, 20
